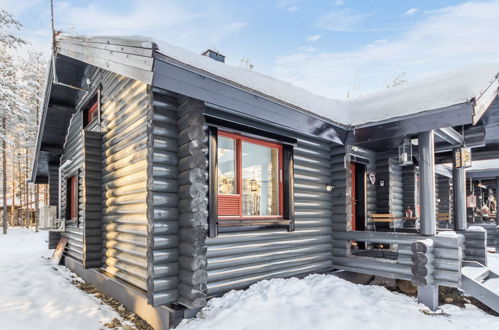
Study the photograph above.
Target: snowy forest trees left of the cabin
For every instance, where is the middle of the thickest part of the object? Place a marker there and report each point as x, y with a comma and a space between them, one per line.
22, 84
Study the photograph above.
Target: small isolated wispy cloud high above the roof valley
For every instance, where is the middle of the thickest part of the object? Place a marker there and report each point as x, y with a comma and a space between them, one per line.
341, 20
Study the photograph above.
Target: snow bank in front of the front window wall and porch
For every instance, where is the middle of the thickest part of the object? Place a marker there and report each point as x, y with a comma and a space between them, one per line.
328, 302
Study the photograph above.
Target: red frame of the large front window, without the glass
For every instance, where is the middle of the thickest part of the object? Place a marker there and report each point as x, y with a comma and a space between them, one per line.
237, 197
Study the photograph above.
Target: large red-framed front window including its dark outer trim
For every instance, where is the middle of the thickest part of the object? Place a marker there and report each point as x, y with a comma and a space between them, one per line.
251, 179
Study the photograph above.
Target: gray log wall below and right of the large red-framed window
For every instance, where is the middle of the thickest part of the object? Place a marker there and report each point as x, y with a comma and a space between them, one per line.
238, 259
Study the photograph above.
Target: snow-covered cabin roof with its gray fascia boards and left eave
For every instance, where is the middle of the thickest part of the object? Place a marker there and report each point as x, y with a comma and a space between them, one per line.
455, 98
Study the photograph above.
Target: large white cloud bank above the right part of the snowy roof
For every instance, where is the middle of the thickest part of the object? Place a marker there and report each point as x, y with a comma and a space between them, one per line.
437, 43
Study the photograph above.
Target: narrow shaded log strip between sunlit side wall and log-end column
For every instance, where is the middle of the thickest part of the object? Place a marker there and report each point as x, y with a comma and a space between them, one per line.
162, 199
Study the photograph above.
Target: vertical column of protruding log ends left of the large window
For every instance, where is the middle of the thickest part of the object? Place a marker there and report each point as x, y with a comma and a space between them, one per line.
193, 202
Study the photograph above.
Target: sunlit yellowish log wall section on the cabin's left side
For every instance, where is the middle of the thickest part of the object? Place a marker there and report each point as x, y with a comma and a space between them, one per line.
125, 106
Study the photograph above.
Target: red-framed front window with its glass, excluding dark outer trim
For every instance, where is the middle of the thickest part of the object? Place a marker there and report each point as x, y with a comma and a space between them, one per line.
249, 177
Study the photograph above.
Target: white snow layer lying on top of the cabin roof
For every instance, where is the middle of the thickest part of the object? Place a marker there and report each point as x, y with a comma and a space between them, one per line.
460, 86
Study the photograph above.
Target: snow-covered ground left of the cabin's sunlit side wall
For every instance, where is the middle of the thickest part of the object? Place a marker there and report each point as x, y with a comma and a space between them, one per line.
34, 294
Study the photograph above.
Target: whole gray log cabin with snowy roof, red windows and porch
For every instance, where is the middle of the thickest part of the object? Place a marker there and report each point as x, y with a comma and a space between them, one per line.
182, 177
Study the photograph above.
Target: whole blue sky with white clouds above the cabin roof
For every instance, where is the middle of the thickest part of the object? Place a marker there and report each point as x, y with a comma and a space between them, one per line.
335, 48
